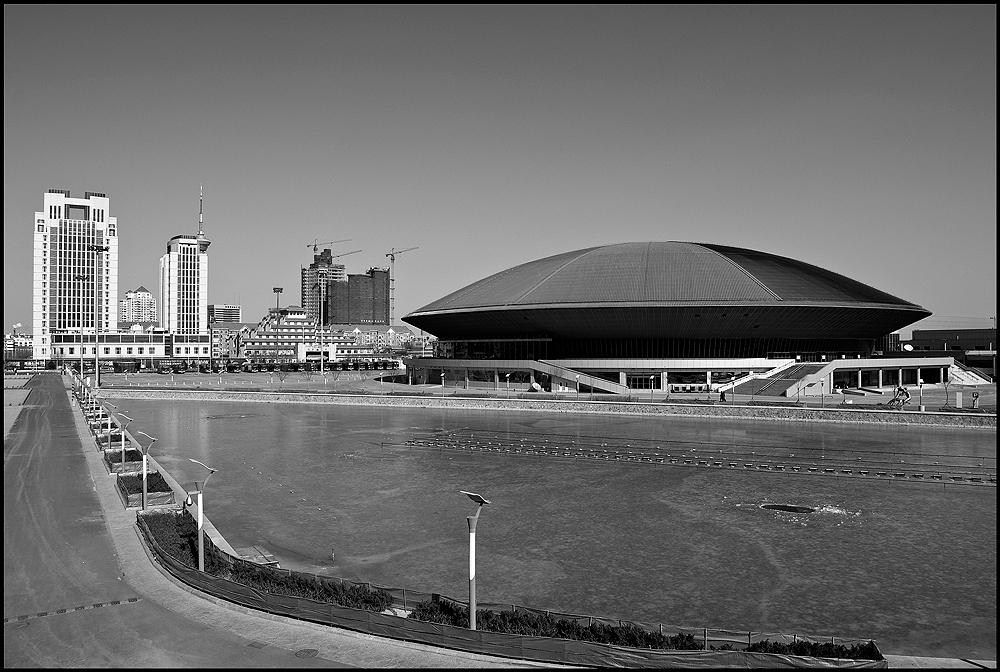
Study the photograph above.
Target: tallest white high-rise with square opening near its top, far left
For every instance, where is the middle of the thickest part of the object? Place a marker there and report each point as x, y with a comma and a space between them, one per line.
75, 268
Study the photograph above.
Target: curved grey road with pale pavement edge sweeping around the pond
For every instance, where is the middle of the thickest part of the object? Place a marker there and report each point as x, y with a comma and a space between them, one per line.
80, 590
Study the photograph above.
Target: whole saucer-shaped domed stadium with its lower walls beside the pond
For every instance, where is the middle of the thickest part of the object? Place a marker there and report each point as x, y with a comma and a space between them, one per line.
629, 310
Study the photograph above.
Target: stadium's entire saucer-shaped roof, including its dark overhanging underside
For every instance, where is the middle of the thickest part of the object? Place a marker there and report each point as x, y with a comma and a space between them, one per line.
666, 289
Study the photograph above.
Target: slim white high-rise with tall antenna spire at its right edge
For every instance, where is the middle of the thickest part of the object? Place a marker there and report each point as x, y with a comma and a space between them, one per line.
184, 282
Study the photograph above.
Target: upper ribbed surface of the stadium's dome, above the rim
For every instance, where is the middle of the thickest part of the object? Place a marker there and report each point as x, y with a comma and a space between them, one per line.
661, 273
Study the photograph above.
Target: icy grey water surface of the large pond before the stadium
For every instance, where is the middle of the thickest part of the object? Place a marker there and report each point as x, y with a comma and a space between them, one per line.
911, 564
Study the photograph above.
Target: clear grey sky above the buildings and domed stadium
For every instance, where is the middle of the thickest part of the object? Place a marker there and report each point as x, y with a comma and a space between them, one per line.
857, 138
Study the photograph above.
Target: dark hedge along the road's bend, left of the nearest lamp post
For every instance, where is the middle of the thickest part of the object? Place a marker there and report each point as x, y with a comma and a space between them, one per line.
177, 535
